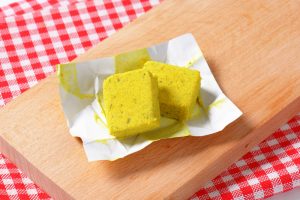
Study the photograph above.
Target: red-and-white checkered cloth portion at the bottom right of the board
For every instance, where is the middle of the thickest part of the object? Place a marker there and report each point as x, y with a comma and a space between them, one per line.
269, 168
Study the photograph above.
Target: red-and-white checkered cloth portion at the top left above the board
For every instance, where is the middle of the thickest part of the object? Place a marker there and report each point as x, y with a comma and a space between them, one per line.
34, 42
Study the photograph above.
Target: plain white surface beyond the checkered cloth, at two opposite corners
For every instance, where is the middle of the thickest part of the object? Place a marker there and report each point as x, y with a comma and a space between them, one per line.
291, 195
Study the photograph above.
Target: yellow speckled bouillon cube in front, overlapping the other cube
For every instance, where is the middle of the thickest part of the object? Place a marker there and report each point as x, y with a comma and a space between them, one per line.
131, 103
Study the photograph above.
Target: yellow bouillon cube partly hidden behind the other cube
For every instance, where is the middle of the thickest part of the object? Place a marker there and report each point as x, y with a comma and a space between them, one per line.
178, 89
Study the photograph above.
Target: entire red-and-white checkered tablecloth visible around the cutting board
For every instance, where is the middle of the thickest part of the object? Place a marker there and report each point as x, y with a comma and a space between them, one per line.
37, 35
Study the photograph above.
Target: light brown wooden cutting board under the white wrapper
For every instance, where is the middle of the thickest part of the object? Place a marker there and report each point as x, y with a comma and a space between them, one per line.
253, 49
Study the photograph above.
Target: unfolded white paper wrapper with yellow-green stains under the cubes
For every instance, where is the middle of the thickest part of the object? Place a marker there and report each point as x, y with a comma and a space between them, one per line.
81, 91
